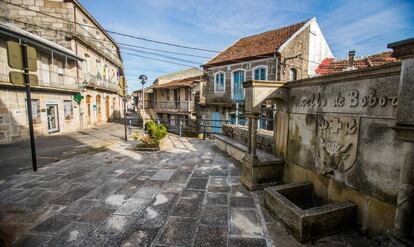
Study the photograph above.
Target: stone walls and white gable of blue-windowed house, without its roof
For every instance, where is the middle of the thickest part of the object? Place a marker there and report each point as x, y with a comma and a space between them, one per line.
294, 55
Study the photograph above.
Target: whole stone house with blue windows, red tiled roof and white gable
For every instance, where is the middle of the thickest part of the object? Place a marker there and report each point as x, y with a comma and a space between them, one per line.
287, 53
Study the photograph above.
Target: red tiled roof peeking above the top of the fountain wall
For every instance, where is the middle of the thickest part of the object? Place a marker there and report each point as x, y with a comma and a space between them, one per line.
331, 65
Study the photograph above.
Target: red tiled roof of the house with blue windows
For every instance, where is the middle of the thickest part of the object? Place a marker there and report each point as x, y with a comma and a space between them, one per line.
256, 45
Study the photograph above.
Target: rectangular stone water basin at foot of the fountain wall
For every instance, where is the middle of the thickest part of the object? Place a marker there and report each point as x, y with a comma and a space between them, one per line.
305, 215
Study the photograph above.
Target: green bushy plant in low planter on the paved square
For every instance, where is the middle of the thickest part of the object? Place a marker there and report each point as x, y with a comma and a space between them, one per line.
152, 139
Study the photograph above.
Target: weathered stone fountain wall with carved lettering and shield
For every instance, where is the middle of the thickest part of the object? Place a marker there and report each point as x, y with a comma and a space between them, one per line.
341, 138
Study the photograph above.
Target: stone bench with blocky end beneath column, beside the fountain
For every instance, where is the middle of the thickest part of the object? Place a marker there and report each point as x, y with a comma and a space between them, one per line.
267, 172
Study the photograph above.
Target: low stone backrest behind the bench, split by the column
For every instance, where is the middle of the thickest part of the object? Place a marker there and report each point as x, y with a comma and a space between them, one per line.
264, 137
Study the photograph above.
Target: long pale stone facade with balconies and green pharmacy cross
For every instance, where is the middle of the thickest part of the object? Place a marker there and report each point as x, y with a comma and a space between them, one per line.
92, 68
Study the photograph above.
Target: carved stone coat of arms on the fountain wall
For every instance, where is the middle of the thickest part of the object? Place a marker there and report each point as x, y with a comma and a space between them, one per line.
337, 140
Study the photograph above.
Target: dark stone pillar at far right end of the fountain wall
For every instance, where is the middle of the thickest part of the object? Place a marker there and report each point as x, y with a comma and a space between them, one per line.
404, 219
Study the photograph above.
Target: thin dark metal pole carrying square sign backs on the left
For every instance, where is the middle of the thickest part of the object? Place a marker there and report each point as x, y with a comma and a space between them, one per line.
29, 103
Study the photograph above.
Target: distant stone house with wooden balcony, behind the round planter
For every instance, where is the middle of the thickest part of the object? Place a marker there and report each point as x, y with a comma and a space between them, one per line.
174, 97
